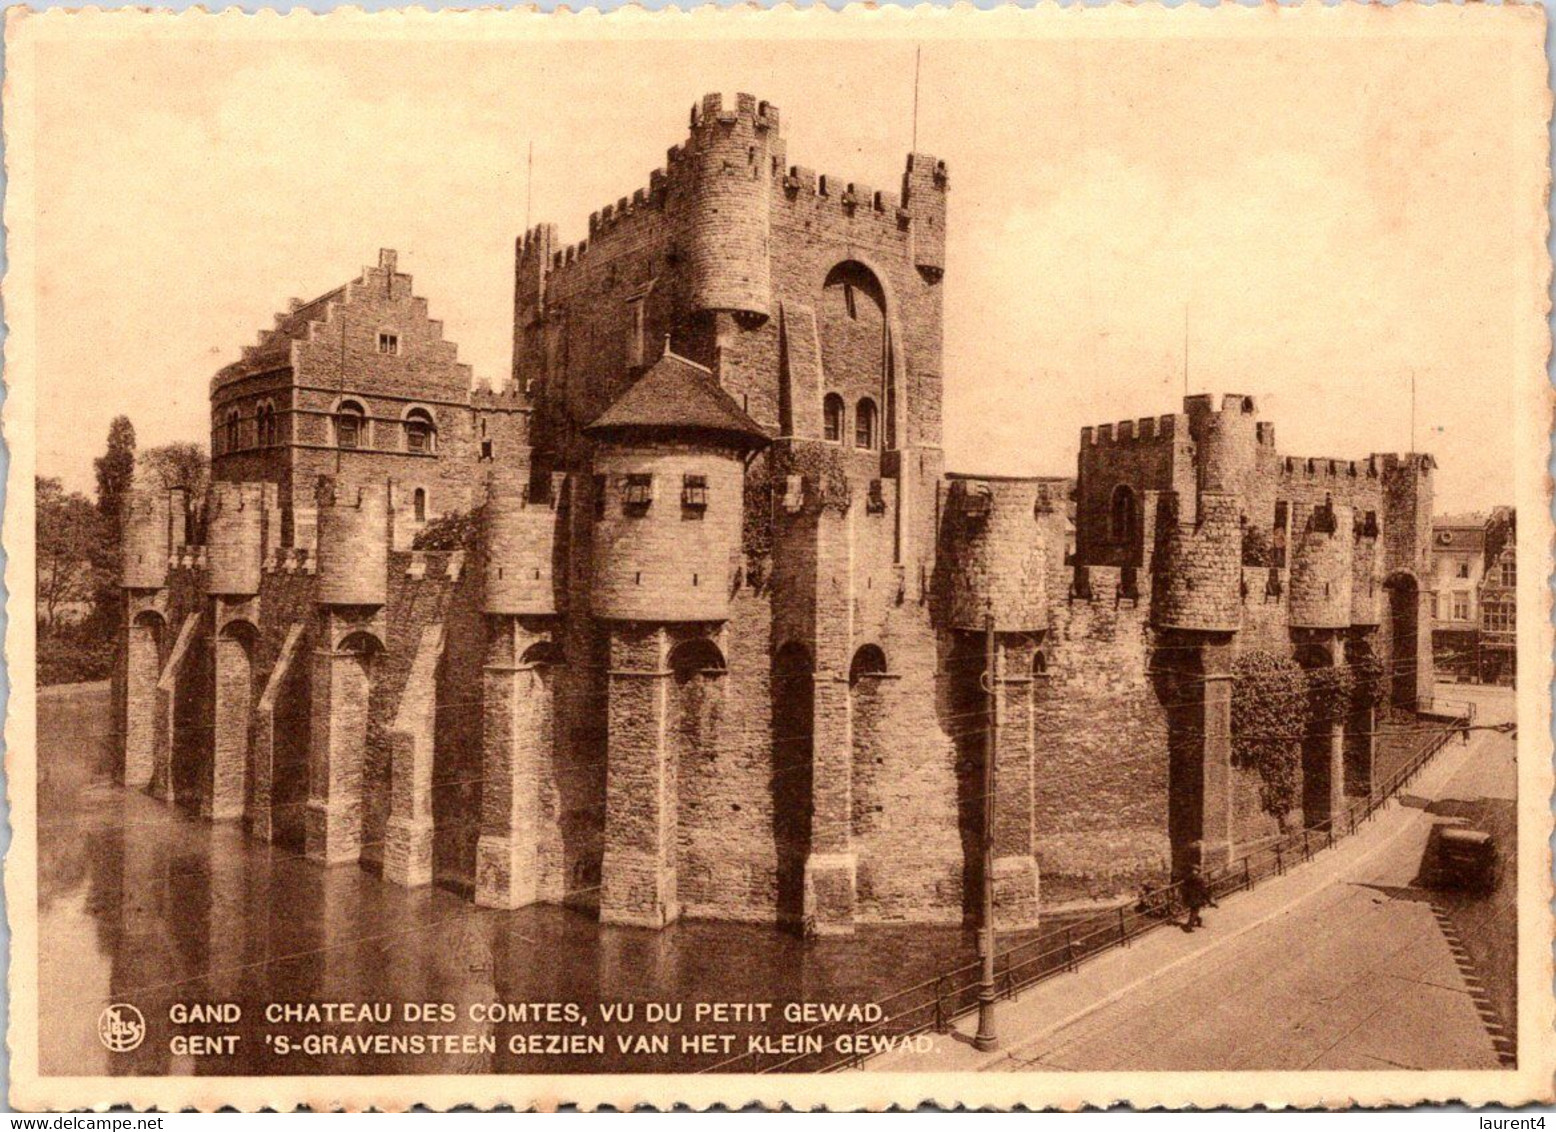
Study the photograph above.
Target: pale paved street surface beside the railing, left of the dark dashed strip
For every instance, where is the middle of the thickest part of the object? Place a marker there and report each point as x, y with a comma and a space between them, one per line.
1325, 968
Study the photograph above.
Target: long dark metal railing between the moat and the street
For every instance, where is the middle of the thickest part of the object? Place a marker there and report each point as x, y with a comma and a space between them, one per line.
936, 1004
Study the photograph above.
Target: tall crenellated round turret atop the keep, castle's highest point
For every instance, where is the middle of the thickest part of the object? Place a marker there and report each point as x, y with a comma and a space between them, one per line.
727, 222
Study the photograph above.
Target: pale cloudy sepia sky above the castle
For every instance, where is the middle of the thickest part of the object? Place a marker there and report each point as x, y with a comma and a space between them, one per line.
1312, 220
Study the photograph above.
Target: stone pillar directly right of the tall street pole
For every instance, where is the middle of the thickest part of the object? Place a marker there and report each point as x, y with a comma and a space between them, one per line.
1015, 865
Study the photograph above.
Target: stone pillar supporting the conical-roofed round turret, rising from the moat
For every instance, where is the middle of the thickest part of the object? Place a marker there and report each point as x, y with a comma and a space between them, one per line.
639, 865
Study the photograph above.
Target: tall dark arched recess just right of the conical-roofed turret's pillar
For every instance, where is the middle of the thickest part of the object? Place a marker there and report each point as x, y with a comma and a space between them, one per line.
794, 747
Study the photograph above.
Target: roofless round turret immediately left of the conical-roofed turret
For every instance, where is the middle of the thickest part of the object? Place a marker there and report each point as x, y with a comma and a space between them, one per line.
520, 548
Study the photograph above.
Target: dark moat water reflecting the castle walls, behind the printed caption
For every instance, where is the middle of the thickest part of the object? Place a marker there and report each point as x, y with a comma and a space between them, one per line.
149, 906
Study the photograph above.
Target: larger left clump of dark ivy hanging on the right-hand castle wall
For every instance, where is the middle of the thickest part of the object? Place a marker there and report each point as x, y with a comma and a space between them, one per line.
1270, 713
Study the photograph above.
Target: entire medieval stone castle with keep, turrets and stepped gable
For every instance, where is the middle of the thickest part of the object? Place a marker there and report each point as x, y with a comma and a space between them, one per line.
712, 643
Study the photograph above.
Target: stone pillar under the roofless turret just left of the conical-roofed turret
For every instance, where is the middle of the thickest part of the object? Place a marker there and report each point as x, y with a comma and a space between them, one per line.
516, 746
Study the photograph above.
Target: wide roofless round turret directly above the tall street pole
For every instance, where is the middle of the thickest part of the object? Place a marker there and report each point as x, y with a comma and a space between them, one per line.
1001, 556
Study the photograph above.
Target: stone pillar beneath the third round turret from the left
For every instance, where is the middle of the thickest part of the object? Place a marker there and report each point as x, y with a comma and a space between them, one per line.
337, 749
